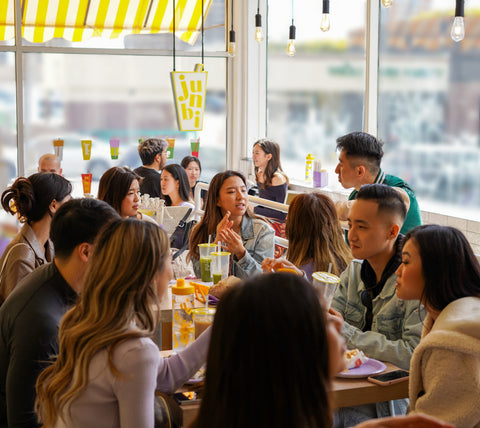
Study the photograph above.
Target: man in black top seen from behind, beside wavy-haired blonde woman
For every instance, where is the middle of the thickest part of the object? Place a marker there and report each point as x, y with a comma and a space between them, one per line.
30, 316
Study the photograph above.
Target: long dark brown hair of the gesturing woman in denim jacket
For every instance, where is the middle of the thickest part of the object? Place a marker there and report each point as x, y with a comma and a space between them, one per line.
213, 214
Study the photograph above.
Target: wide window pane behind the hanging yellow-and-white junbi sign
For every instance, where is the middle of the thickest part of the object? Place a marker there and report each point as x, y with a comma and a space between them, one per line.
98, 97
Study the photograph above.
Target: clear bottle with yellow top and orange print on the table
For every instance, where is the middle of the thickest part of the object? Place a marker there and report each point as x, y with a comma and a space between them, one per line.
183, 329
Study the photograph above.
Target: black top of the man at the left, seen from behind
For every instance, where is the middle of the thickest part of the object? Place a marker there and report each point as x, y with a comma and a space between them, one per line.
29, 321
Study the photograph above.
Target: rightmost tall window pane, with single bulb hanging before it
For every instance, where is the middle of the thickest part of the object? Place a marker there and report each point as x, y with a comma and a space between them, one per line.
429, 104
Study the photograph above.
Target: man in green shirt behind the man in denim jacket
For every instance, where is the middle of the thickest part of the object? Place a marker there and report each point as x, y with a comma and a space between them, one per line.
359, 163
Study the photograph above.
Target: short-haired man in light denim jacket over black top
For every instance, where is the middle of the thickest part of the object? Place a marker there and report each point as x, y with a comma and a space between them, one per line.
375, 320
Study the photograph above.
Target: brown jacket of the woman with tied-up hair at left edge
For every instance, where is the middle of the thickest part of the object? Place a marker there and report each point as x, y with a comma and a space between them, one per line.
26, 254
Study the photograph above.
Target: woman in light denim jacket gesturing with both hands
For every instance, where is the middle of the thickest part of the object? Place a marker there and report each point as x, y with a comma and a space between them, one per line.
229, 219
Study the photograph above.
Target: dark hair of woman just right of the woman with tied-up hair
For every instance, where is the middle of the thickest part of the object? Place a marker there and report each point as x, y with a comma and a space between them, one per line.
115, 184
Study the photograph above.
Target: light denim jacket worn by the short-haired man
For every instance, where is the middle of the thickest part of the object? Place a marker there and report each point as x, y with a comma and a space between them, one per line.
397, 324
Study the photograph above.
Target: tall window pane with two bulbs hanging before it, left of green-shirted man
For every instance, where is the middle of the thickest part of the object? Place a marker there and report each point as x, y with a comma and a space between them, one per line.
318, 94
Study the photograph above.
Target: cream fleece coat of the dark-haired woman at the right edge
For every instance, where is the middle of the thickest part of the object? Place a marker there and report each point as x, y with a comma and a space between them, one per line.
445, 367
